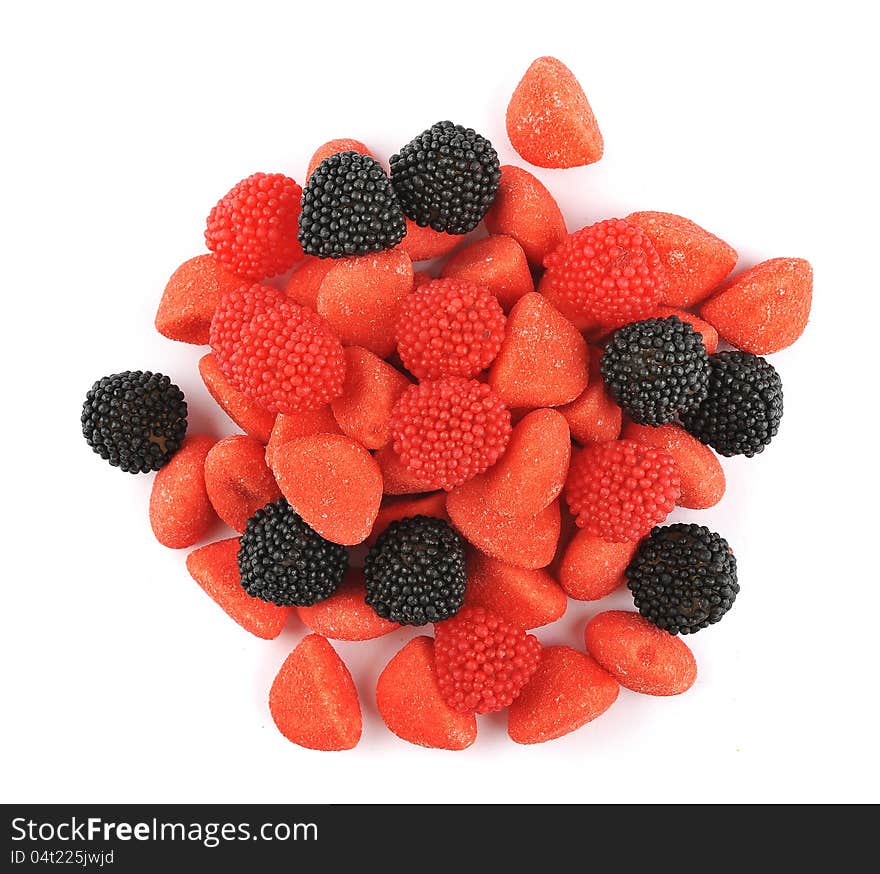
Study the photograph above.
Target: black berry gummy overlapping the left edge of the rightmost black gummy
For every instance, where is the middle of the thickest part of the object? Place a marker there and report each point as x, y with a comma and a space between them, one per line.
656, 369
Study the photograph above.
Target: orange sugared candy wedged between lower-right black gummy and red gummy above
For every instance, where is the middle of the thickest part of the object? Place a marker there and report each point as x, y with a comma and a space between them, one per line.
592, 568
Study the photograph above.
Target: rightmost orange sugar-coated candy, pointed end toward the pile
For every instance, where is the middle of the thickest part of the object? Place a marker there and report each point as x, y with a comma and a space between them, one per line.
764, 309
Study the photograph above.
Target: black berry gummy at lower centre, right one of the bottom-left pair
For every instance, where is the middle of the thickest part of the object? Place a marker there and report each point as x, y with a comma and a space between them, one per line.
415, 572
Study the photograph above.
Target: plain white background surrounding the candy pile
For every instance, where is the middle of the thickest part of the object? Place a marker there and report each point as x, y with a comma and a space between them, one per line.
124, 123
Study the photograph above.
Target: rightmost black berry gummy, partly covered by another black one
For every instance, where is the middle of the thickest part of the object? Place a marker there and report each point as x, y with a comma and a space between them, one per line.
743, 408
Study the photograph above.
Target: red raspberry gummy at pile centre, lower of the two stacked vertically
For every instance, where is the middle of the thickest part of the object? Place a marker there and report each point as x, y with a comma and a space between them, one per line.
446, 432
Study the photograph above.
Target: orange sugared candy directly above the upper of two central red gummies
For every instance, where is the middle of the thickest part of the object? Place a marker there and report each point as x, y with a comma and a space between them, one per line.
498, 262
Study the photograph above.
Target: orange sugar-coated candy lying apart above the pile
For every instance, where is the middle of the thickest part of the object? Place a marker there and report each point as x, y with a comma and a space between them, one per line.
549, 120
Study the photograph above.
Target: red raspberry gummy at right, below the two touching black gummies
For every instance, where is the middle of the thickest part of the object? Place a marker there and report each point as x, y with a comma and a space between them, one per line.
621, 489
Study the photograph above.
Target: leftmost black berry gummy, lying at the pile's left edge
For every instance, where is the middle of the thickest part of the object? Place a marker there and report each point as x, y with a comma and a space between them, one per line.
135, 420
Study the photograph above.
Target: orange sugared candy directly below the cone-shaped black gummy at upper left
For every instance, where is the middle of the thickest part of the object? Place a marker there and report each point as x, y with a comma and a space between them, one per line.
360, 298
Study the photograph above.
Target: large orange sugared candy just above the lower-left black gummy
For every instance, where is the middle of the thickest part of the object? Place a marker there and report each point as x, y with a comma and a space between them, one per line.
333, 483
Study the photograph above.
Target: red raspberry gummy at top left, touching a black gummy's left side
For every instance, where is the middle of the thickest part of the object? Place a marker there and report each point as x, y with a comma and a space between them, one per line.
253, 229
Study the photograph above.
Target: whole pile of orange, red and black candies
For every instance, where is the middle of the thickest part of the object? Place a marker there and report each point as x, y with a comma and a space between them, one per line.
505, 429
